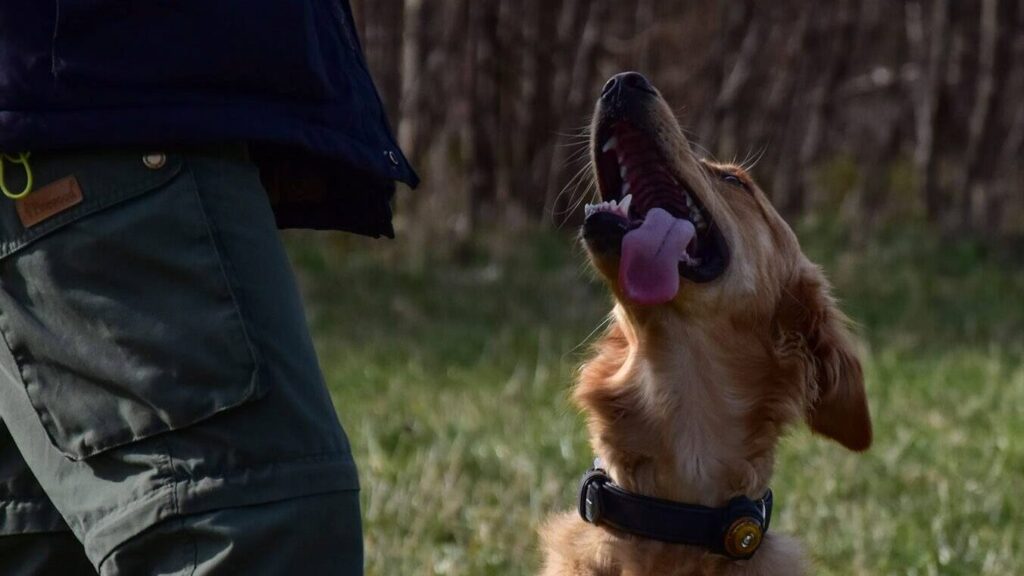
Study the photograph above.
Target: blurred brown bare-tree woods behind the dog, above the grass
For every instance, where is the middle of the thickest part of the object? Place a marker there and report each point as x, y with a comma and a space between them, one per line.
875, 111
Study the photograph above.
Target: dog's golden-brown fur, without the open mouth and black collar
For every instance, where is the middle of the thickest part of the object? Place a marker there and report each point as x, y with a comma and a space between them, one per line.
688, 401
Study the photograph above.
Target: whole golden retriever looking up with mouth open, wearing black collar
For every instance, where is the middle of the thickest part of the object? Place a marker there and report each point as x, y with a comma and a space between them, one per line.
723, 335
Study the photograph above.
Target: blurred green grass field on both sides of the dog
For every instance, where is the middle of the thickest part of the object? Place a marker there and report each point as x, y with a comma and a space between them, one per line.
452, 379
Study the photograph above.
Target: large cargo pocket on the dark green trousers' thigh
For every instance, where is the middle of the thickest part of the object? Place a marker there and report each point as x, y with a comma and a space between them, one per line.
119, 311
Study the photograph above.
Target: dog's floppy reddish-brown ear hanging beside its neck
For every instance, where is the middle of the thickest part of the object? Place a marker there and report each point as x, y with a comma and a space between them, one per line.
837, 403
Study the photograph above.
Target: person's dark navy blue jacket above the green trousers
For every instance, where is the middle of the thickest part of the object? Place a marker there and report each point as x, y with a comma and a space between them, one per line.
288, 76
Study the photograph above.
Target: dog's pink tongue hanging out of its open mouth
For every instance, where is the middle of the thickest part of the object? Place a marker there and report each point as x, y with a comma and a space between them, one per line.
649, 272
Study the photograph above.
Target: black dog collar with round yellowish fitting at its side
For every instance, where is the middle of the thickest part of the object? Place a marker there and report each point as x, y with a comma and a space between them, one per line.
735, 530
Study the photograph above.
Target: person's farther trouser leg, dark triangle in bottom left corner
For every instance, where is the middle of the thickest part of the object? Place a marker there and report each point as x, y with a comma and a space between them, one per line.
34, 541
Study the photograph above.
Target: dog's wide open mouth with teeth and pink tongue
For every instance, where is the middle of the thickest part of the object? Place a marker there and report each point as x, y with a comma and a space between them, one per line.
667, 231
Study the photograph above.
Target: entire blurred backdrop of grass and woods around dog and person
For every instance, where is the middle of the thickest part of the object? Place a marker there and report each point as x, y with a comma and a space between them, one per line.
888, 132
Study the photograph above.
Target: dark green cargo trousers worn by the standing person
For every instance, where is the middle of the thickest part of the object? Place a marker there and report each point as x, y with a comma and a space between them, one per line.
162, 410
